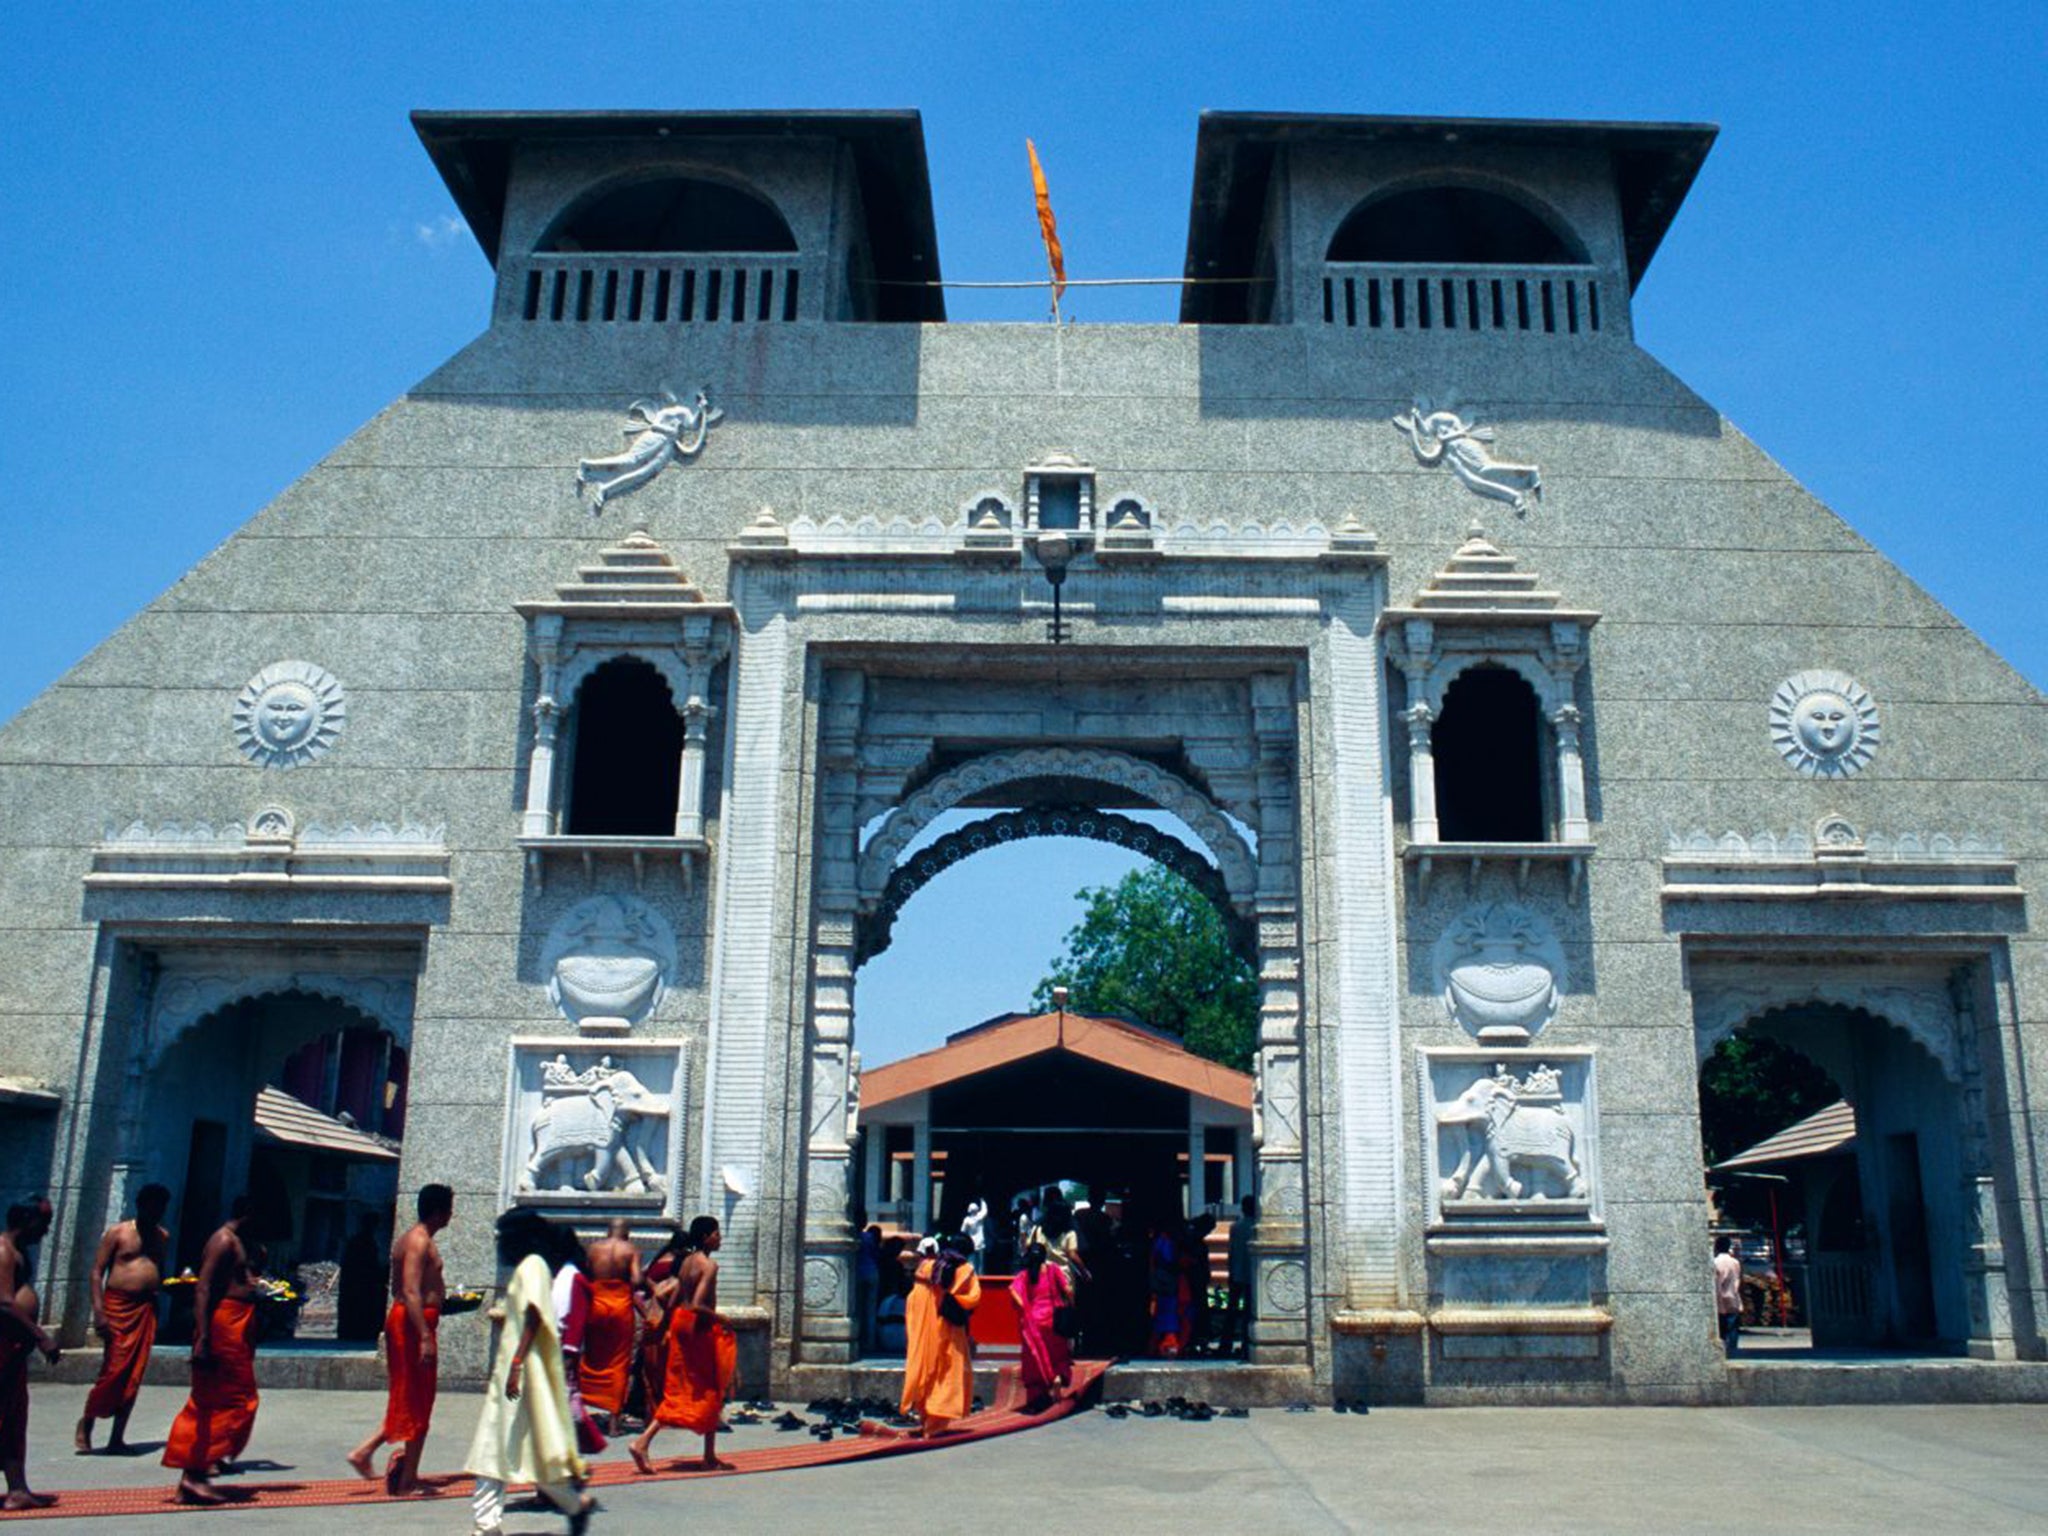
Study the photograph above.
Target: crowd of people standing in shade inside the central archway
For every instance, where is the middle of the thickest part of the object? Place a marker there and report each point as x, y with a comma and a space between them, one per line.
1129, 1287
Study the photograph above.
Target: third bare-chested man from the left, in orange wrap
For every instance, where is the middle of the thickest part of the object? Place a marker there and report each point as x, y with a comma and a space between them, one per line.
222, 1410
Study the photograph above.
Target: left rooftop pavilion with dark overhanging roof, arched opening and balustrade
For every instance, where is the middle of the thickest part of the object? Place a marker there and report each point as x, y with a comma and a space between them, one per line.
695, 218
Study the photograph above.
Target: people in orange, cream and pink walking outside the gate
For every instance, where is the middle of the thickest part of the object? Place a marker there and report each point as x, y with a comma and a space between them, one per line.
591, 1340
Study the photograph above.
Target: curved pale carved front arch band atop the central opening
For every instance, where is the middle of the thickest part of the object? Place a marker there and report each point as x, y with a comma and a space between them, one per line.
1099, 765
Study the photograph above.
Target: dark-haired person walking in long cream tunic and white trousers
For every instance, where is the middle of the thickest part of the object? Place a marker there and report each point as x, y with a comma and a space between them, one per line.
525, 1433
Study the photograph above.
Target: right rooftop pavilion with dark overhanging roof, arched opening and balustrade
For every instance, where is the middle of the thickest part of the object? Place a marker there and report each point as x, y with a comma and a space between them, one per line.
1431, 224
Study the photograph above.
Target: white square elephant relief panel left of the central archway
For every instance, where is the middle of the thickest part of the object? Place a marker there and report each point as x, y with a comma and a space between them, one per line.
591, 1125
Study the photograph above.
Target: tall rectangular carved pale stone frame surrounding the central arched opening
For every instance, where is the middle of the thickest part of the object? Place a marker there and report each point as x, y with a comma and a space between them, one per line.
876, 695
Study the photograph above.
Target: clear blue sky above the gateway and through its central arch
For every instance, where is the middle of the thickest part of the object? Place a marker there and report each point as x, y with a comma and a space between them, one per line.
224, 249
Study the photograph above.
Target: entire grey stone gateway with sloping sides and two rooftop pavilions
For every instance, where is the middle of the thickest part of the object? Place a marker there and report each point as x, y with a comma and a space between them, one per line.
534, 779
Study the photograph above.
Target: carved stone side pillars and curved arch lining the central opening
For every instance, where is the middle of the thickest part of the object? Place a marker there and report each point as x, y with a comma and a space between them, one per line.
855, 886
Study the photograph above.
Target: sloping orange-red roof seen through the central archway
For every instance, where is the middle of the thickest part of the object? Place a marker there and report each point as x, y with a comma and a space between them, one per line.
1105, 1041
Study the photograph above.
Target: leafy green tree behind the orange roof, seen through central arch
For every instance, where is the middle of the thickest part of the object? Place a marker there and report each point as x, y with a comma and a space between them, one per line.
1154, 949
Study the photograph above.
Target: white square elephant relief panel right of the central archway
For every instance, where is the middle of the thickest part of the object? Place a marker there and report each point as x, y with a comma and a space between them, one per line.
1510, 1132
